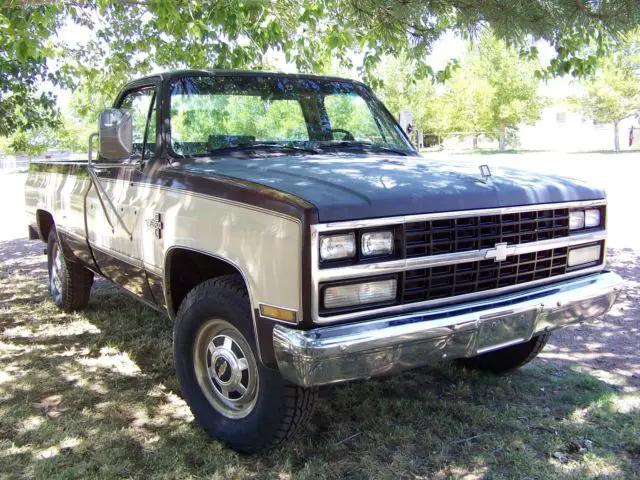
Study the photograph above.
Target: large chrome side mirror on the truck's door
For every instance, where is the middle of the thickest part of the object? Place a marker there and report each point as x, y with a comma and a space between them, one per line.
115, 132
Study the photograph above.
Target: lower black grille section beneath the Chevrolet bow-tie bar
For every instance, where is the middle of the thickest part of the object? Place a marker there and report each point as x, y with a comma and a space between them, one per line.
446, 281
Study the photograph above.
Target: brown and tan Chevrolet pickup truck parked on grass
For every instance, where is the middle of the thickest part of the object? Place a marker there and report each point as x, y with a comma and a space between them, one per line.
296, 238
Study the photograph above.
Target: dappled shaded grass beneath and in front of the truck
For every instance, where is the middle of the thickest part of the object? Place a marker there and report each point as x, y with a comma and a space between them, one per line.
94, 395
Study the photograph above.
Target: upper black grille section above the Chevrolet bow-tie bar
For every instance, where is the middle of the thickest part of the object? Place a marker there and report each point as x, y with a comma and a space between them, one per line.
434, 237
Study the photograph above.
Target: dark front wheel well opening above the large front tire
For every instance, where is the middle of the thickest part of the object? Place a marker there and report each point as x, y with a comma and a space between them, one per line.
185, 269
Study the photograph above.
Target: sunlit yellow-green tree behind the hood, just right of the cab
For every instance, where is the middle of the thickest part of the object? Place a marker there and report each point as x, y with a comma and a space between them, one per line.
491, 91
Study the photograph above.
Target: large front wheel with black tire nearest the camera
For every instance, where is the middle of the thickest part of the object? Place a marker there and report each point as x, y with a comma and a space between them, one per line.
221, 306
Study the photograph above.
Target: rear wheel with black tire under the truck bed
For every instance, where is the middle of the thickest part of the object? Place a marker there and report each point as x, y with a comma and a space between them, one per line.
69, 282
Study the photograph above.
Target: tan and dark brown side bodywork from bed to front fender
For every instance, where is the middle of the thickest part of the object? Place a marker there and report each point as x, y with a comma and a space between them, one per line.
258, 234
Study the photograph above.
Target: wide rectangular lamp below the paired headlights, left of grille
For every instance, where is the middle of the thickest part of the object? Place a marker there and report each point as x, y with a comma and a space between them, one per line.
360, 293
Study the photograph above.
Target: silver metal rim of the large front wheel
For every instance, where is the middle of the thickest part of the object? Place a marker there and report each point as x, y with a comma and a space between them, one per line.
225, 368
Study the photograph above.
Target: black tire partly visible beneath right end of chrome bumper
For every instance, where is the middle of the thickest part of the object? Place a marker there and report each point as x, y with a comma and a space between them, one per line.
509, 358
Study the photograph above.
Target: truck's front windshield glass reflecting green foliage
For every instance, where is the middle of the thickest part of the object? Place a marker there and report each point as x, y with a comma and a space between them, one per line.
218, 114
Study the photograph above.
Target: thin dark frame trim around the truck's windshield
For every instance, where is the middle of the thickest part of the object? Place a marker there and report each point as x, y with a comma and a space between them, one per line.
366, 91
